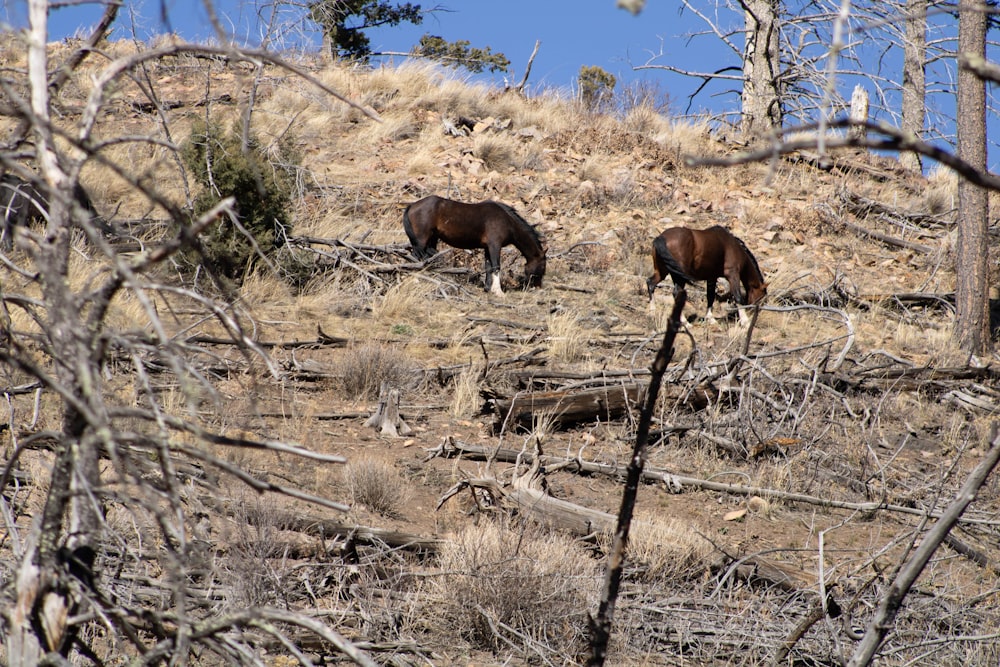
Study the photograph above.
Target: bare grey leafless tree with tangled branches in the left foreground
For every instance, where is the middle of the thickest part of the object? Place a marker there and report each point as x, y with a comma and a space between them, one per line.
74, 570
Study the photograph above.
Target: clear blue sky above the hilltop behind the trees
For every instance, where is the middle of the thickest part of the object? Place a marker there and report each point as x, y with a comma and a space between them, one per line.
572, 33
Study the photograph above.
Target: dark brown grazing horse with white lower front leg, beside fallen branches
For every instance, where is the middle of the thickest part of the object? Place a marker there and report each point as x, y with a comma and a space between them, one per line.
488, 225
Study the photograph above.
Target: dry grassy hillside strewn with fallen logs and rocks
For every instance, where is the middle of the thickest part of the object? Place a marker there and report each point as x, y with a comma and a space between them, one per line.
798, 459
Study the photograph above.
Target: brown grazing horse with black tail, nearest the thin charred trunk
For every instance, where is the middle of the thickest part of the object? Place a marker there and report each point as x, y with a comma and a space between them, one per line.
692, 254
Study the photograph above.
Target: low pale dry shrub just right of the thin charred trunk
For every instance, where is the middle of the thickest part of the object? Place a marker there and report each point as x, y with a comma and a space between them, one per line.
663, 550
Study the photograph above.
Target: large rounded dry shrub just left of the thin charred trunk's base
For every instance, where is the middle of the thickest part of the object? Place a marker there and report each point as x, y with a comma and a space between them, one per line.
508, 588
